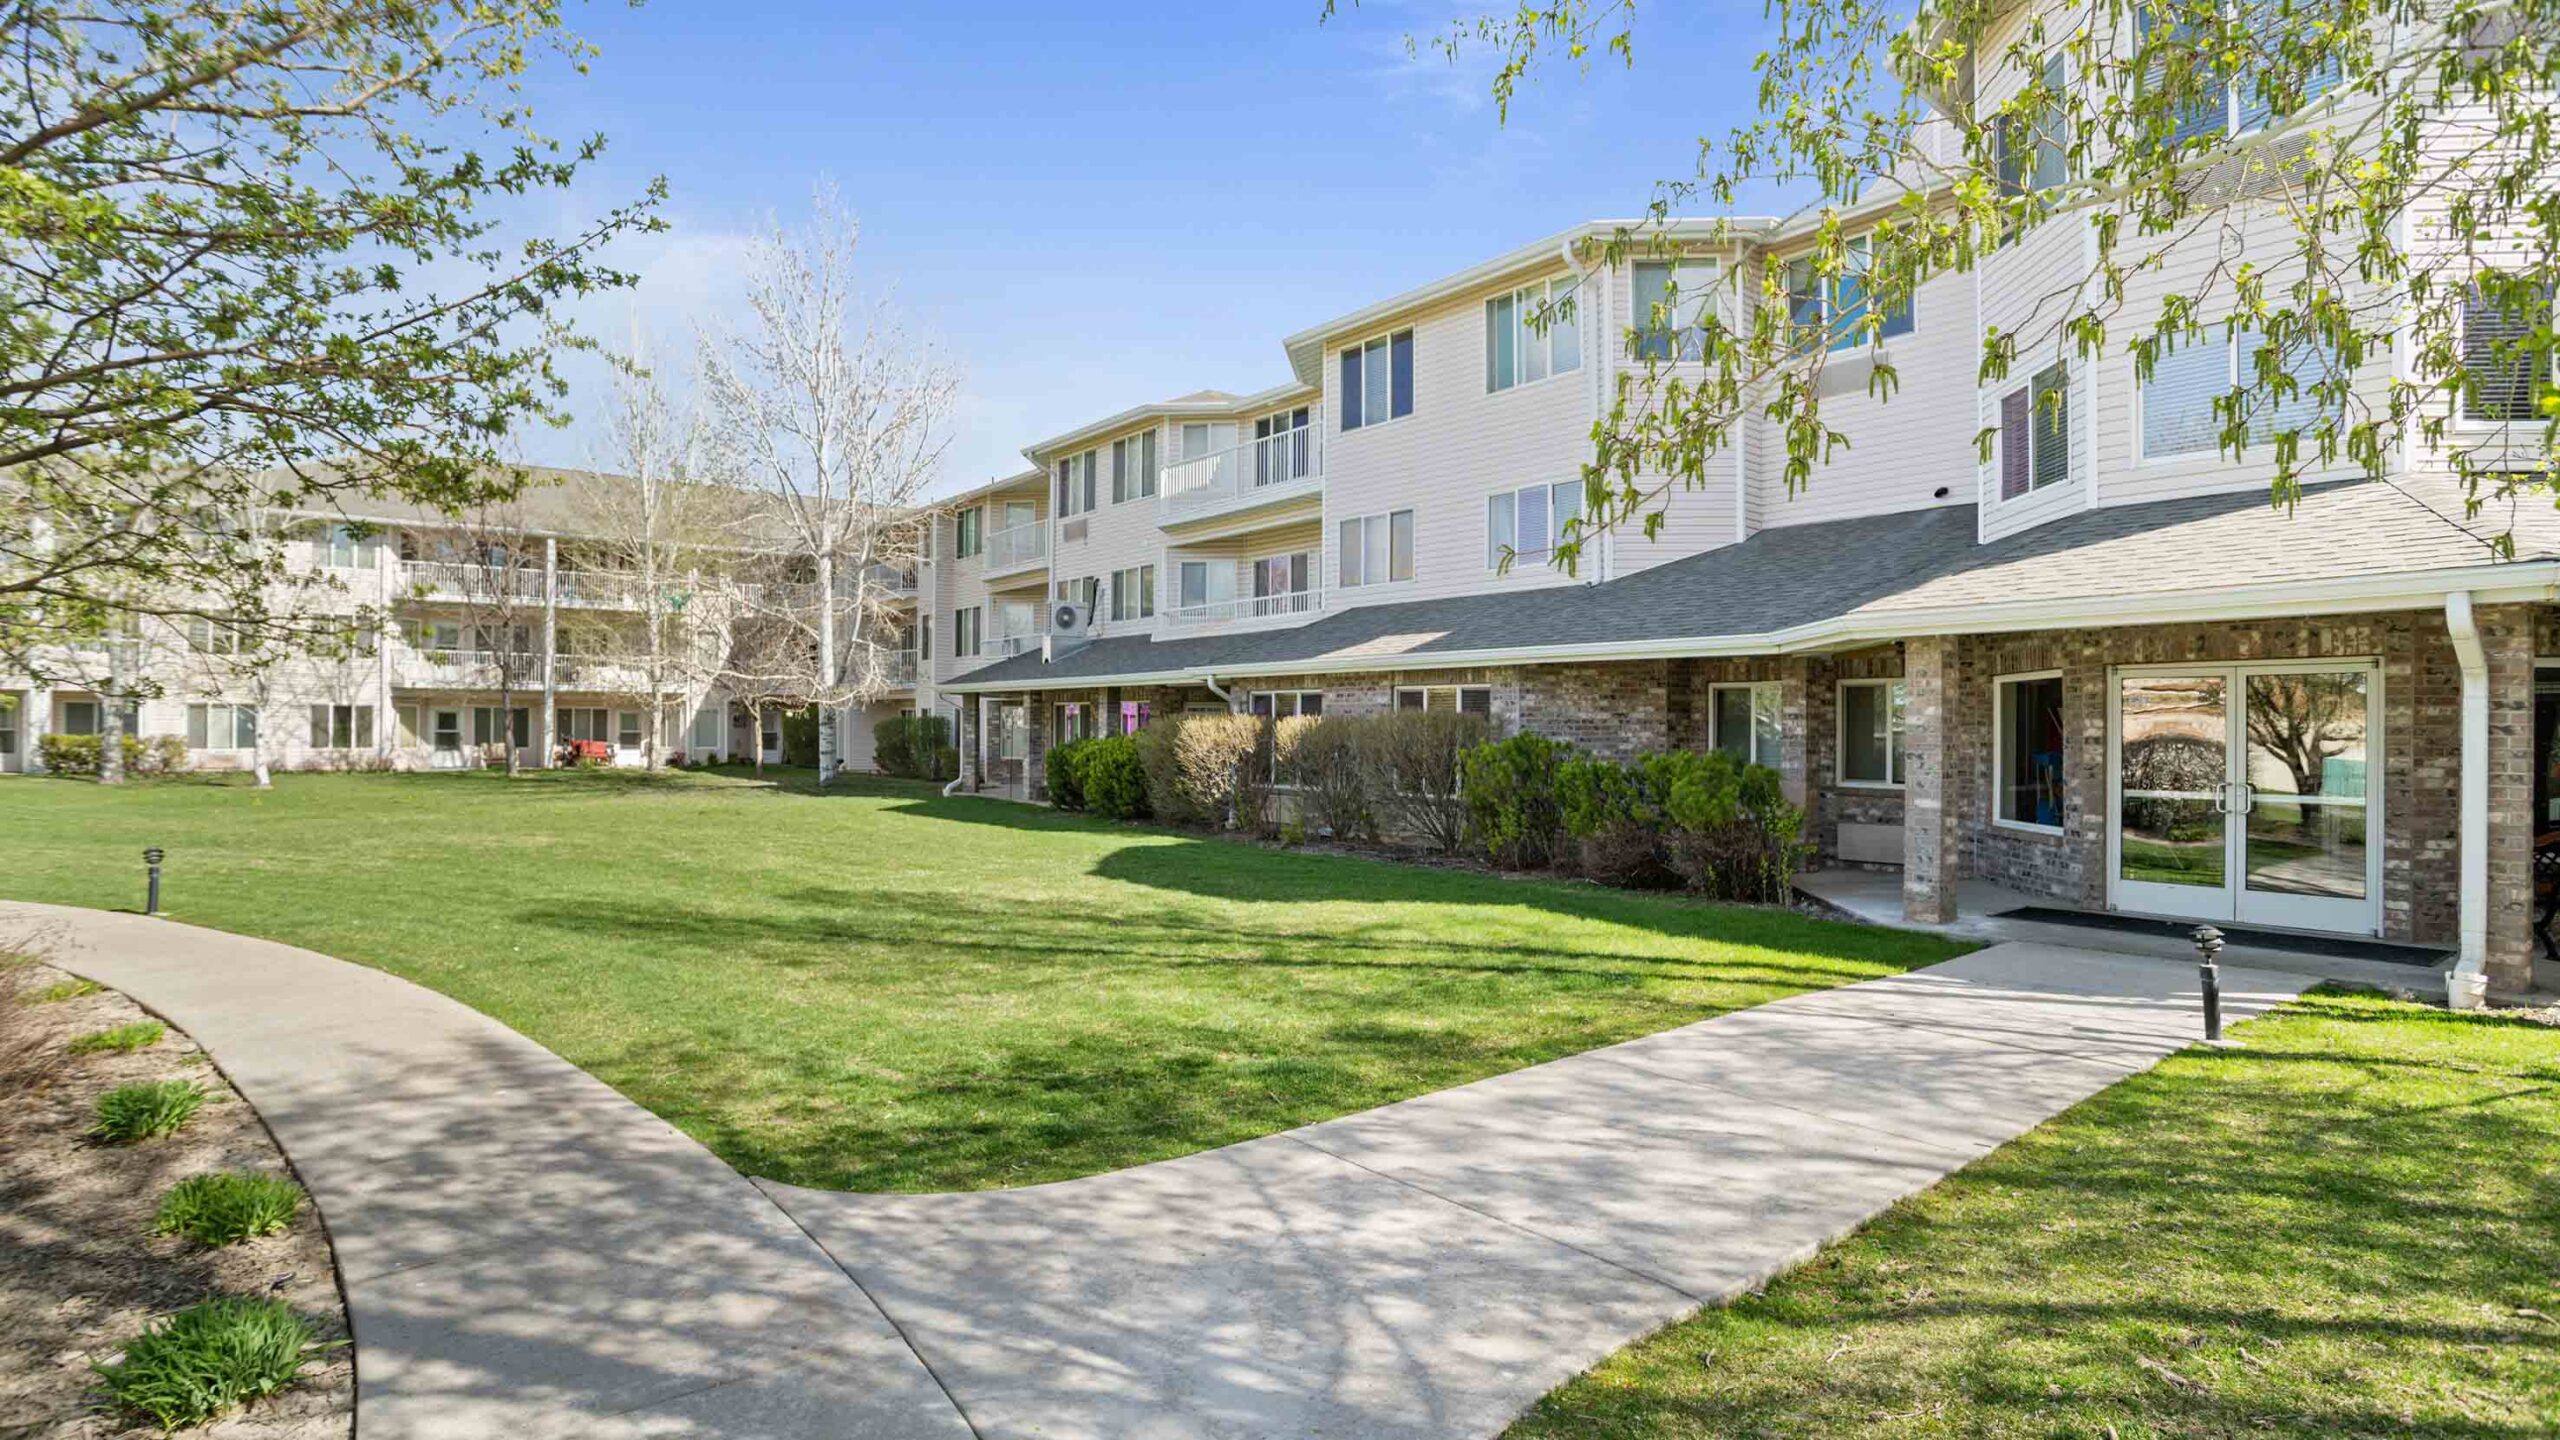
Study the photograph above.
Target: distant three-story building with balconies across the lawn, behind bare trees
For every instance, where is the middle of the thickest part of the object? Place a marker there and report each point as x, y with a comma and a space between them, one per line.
524, 639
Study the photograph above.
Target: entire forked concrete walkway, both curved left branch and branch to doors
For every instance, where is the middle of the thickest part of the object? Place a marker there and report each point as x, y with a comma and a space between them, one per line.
526, 1254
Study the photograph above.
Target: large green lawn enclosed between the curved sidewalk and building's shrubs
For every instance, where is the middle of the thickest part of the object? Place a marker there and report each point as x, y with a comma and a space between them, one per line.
890, 990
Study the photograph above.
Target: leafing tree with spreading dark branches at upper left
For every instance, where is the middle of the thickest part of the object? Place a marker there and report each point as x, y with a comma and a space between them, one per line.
255, 263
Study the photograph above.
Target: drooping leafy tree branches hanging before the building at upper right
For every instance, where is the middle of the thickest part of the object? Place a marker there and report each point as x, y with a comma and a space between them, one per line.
2323, 186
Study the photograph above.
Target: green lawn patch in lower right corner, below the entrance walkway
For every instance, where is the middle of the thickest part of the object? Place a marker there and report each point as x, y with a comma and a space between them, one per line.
2351, 1226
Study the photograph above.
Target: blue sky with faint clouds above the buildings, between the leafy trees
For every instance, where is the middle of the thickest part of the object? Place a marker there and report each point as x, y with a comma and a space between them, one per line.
1094, 206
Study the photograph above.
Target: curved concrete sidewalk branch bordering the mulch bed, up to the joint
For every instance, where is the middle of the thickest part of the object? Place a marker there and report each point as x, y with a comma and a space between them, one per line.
526, 1254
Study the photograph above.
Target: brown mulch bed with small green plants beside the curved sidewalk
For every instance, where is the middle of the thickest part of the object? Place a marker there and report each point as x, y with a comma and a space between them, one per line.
81, 1270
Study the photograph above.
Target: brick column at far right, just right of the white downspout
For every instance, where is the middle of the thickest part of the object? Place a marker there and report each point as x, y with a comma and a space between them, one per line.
2508, 644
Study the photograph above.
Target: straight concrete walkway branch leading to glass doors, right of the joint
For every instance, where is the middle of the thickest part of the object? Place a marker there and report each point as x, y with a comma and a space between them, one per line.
1435, 1267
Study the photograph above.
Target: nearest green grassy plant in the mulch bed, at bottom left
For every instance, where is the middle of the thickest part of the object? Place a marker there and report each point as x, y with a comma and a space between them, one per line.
209, 1359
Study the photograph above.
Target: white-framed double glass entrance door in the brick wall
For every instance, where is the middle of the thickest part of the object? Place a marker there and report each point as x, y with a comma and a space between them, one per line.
2239, 793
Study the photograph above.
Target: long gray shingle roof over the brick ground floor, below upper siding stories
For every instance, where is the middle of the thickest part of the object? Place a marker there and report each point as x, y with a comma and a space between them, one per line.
1855, 578
